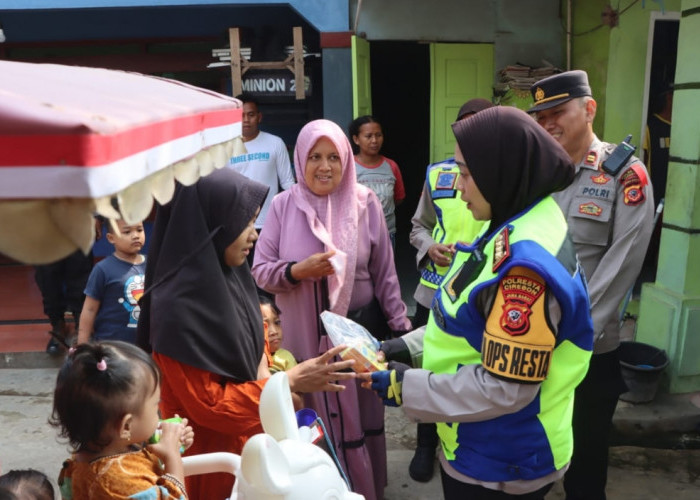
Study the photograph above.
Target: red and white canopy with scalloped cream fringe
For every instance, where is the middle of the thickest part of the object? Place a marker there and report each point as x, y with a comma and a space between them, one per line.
74, 140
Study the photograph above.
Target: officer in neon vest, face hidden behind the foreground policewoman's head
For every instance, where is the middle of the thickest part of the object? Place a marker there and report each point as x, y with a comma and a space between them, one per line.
440, 220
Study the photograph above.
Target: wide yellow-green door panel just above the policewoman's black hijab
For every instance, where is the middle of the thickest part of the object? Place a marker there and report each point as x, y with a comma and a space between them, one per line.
459, 72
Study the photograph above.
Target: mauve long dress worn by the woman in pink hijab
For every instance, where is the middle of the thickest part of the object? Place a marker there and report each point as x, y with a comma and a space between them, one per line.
354, 417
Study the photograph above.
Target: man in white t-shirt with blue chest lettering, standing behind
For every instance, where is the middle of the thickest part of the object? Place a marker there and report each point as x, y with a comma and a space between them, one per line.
266, 159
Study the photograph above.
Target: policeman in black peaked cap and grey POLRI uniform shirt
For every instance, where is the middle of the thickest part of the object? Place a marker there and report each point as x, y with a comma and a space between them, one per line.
610, 210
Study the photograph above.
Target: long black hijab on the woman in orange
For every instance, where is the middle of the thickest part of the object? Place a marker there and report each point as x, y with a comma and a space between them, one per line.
196, 309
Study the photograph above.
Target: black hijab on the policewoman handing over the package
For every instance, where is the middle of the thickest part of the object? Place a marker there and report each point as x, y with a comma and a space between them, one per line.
513, 160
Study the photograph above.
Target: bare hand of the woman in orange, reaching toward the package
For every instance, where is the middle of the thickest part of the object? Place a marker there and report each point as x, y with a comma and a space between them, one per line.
320, 374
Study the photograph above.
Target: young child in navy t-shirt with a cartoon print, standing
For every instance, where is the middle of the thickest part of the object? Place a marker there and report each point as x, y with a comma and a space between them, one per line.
111, 309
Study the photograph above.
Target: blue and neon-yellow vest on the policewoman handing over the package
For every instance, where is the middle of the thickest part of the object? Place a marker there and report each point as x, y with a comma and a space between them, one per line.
536, 440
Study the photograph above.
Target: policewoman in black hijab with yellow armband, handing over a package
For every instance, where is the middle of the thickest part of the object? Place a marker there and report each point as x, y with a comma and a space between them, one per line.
509, 335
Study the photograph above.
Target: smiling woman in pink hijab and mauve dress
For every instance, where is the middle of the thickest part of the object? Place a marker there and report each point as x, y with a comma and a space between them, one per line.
328, 226
